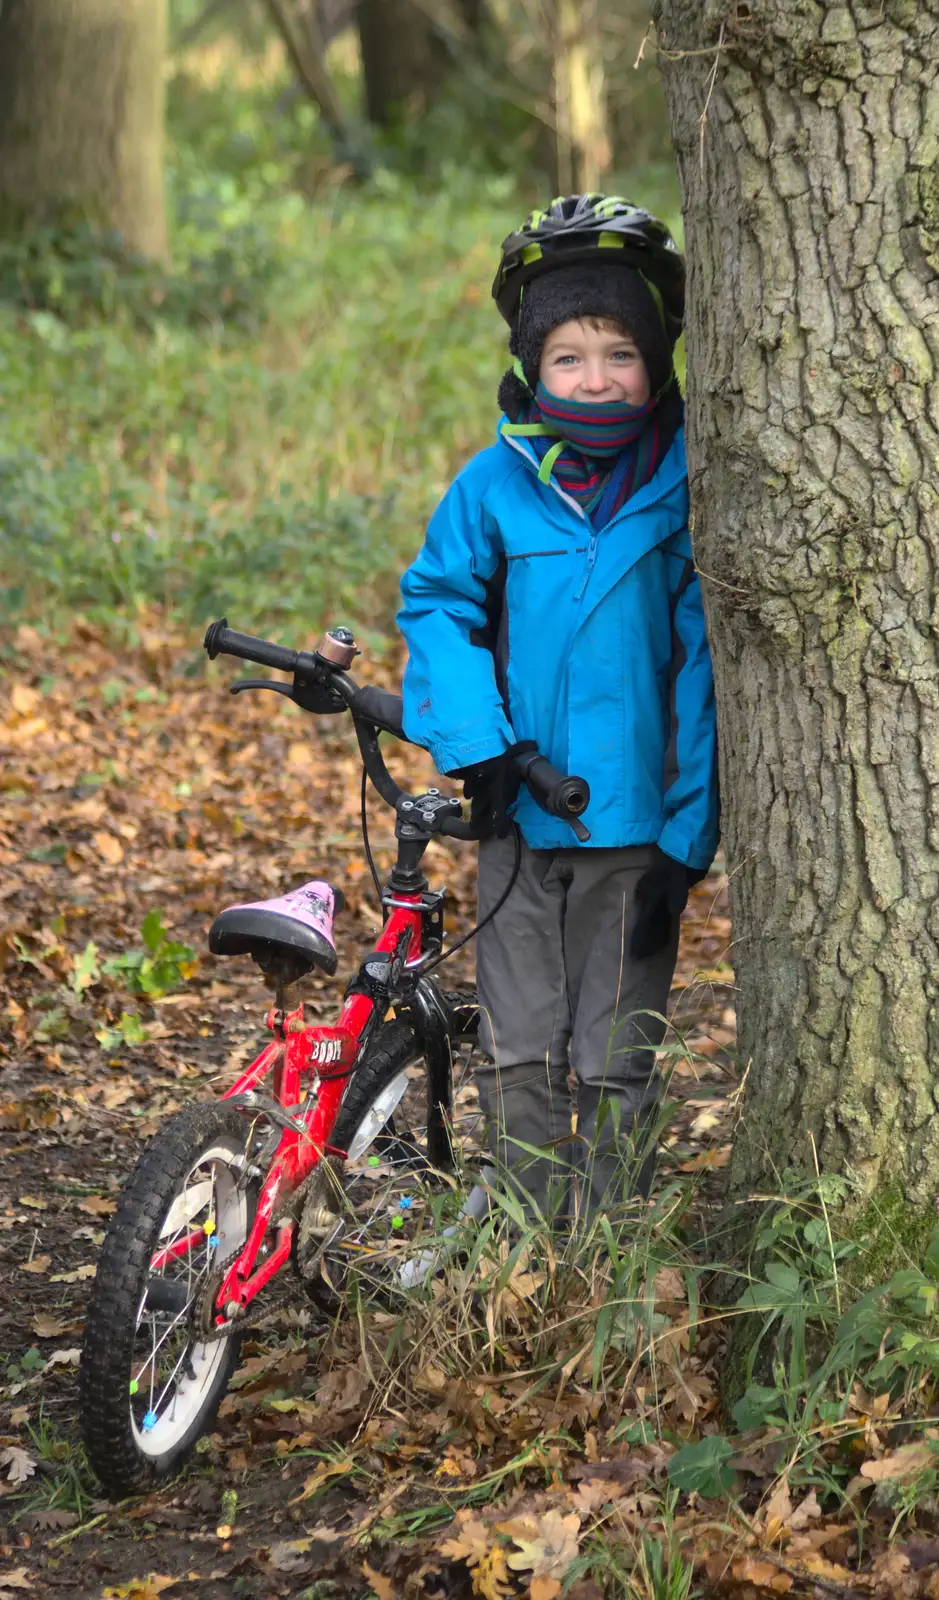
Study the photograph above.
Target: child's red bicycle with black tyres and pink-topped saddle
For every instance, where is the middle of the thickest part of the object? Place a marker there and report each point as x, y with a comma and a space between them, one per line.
326, 1143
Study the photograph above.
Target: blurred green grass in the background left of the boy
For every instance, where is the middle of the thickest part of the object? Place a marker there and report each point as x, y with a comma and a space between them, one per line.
265, 431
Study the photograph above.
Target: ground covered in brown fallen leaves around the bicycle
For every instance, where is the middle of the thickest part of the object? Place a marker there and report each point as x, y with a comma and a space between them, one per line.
132, 785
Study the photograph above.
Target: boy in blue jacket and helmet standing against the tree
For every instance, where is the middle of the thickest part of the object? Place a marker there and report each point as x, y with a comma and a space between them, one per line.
556, 601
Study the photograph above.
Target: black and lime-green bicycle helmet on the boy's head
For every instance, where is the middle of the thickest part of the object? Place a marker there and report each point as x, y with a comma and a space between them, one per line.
593, 230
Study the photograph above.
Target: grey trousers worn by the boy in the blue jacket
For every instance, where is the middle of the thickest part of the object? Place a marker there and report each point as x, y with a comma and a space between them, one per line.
559, 993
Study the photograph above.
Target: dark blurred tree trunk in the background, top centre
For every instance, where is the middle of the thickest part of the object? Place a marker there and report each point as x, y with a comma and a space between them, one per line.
402, 58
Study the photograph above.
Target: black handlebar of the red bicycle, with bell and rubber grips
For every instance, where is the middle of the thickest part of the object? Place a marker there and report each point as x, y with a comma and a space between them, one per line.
324, 686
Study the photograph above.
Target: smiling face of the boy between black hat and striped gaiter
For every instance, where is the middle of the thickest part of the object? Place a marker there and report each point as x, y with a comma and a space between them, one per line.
594, 362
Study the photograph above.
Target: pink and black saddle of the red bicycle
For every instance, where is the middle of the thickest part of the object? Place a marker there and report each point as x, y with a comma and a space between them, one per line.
300, 922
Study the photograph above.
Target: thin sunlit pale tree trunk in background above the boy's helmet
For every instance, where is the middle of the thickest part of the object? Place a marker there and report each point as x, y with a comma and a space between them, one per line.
580, 102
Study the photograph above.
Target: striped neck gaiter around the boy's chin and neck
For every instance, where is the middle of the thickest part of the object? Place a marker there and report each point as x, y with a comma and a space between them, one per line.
601, 454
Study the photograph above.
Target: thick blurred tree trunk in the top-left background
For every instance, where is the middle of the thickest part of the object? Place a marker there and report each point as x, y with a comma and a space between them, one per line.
82, 116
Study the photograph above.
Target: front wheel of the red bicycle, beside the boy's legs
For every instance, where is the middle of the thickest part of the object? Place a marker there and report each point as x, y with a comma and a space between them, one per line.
388, 1198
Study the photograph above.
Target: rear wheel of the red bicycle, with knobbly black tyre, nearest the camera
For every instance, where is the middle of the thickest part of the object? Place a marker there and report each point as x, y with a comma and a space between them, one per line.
151, 1377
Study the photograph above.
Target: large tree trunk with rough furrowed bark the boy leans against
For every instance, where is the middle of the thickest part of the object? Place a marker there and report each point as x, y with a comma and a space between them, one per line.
812, 214
